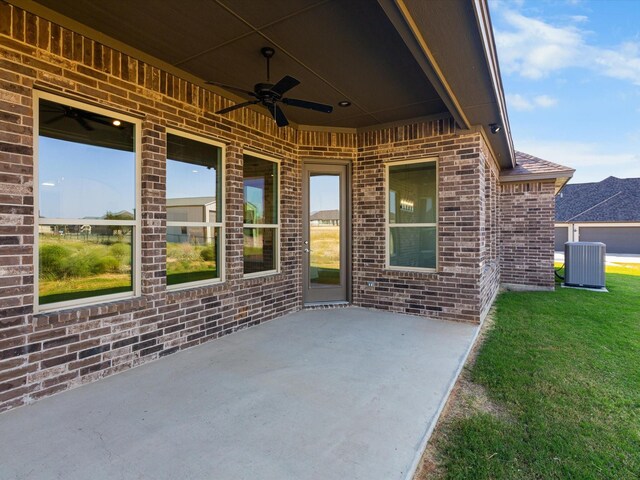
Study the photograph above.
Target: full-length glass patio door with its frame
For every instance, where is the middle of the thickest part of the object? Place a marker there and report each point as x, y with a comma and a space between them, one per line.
325, 233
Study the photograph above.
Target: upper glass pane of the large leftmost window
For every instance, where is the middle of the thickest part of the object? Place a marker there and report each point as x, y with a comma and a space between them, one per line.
86, 165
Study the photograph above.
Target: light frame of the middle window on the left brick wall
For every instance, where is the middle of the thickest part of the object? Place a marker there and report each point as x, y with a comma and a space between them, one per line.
216, 224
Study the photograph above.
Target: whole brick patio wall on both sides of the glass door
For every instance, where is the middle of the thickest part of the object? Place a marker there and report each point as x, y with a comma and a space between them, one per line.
44, 353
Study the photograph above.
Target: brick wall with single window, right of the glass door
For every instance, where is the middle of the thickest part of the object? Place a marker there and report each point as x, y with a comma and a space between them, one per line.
453, 291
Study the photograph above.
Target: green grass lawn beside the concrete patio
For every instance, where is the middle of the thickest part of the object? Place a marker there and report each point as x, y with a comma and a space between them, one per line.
563, 371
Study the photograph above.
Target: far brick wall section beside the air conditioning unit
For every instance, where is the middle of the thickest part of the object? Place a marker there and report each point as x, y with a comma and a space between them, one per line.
527, 212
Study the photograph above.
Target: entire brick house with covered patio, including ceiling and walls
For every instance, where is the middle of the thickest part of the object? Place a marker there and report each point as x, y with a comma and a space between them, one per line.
423, 116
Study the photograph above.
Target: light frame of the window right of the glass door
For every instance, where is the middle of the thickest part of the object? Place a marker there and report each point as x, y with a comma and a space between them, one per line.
389, 226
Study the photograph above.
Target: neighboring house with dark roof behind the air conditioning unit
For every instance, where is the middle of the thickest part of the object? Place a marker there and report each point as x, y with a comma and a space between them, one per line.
606, 211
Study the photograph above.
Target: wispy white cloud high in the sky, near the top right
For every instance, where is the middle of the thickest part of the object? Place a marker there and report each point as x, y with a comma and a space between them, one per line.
534, 49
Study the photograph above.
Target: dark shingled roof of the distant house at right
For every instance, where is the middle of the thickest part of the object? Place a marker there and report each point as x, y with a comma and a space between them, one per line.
611, 200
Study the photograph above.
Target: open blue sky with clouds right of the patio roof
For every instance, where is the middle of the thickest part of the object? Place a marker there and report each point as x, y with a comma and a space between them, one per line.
571, 76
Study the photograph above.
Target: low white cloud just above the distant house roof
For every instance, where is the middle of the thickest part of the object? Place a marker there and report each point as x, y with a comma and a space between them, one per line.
591, 161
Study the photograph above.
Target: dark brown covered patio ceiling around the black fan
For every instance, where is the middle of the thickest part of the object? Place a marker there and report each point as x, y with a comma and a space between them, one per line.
394, 60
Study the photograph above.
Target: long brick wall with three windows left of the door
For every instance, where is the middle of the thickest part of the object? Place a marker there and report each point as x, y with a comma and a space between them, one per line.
41, 354
